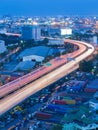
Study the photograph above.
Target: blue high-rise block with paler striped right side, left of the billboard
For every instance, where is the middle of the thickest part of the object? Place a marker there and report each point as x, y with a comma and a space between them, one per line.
31, 32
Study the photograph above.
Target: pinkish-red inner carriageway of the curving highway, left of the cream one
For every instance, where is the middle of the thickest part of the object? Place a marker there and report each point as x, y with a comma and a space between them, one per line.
55, 63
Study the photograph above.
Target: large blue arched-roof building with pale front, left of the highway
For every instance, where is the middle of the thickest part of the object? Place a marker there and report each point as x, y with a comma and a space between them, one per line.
37, 54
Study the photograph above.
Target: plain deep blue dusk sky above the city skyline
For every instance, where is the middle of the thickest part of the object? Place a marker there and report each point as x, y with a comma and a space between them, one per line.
49, 7
